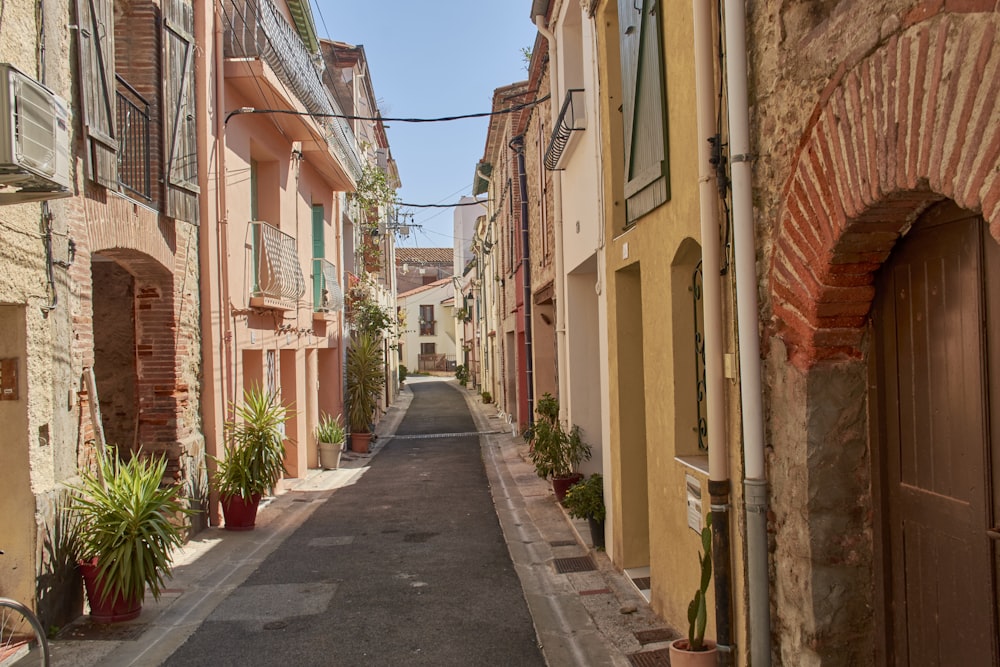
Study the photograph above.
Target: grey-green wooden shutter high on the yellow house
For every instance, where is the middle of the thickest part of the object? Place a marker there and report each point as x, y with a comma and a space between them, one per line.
647, 183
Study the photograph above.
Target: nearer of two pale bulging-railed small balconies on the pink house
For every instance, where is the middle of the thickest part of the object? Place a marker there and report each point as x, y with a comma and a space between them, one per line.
277, 276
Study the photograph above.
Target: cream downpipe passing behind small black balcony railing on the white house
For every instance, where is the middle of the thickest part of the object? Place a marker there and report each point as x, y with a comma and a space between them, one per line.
562, 354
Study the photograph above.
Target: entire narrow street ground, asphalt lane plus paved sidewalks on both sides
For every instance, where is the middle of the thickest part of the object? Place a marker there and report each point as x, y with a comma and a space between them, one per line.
436, 549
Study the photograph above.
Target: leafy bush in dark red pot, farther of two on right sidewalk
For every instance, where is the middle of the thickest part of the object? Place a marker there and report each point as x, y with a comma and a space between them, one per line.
555, 452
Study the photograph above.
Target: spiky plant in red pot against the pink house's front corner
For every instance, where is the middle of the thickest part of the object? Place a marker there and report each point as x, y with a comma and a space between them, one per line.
255, 457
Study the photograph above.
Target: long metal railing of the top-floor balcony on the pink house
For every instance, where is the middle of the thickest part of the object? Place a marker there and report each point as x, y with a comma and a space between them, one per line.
256, 29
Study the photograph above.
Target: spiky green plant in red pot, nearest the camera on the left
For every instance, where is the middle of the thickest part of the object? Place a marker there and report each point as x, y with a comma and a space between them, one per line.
127, 525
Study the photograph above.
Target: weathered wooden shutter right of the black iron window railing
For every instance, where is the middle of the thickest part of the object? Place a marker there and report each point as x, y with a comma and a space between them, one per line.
179, 131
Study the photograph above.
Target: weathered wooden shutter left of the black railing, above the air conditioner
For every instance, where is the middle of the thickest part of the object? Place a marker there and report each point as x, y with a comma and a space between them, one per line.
96, 46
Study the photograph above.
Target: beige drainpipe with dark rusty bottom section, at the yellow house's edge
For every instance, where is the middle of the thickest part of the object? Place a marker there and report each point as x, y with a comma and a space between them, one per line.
718, 454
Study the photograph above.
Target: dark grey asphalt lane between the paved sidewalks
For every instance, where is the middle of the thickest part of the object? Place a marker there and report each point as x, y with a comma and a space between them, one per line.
406, 567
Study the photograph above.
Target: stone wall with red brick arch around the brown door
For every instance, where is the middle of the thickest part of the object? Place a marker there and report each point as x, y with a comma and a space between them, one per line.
864, 114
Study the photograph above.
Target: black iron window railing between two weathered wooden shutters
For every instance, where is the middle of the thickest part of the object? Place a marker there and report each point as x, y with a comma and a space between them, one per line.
132, 116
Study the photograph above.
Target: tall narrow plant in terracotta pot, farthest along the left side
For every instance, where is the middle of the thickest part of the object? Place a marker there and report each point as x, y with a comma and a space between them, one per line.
365, 379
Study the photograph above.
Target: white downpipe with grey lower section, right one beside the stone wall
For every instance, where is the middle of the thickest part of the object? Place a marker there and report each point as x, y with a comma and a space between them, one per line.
755, 483
